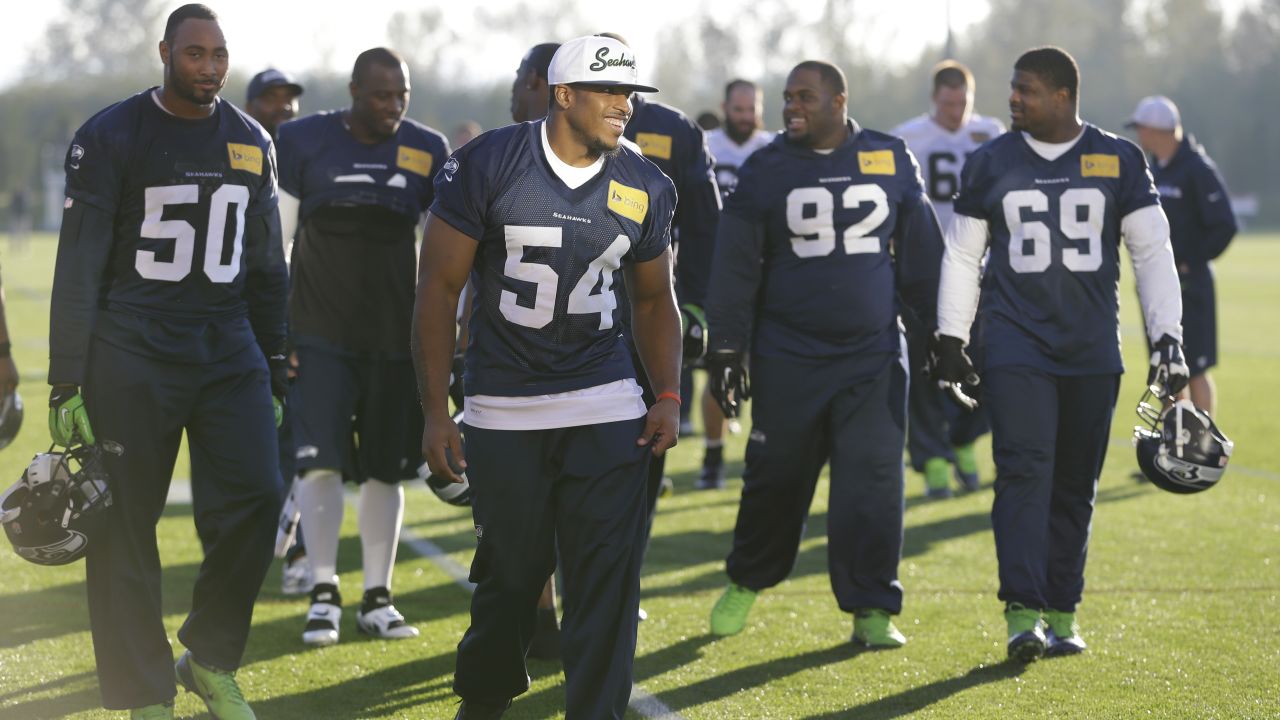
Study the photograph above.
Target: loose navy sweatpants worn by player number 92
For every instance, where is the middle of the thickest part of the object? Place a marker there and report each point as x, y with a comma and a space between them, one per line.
804, 413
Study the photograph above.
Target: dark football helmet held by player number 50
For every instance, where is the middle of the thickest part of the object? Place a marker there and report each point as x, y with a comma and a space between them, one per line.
52, 514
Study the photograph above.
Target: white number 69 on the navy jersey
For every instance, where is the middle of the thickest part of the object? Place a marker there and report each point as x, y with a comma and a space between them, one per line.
1090, 199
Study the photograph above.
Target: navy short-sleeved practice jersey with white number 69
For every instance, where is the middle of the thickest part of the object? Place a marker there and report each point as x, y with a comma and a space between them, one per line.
1050, 295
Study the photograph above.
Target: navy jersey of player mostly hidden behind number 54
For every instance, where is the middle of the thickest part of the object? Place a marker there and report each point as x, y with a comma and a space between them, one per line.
674, 143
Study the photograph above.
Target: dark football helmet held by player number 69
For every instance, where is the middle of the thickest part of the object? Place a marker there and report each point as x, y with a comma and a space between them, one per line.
1180, 449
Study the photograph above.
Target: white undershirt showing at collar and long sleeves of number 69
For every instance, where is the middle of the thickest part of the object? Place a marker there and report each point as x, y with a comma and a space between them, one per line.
1146, 235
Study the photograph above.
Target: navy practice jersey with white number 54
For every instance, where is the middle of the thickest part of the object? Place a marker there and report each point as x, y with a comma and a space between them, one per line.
548, 268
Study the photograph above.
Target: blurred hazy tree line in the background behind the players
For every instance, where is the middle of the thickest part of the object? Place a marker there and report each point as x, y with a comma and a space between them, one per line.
1223, 78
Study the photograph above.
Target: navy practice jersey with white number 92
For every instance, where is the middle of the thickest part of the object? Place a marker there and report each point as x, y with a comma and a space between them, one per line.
831, 284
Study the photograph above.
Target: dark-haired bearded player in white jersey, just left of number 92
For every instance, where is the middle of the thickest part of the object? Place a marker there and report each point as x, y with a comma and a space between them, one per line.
730, 144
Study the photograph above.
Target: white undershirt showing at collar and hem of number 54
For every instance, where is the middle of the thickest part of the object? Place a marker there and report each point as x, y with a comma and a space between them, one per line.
609, 403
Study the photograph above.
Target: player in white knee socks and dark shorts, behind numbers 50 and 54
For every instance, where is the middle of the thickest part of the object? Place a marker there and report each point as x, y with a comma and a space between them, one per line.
356, 184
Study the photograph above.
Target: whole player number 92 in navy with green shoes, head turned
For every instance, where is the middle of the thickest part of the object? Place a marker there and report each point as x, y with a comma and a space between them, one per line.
807, 288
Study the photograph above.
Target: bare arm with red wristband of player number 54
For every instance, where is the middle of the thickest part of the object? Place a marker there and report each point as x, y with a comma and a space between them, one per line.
656, 323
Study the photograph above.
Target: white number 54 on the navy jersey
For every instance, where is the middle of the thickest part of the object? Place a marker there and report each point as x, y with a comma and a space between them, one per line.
582, 300
